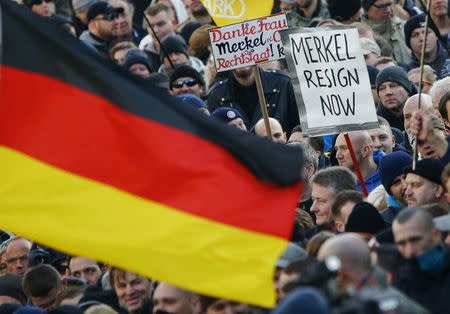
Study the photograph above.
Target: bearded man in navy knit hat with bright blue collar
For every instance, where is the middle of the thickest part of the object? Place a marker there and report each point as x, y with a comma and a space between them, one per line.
393, 180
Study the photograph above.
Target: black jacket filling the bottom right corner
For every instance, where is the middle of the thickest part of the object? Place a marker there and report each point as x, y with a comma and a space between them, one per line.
429, 288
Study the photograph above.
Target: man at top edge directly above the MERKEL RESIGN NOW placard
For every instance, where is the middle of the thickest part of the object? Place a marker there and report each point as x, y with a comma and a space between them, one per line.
307, 13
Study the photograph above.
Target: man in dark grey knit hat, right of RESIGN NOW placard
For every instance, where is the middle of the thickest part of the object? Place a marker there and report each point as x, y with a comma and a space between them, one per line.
393, 89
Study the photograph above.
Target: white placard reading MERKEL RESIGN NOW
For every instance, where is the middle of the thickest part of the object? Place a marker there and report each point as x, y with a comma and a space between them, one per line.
330, 79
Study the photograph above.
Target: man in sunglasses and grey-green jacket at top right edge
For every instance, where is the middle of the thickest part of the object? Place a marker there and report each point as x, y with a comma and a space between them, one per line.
379, 15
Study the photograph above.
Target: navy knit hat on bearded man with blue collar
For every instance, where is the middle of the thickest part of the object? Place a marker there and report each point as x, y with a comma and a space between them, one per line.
391, 166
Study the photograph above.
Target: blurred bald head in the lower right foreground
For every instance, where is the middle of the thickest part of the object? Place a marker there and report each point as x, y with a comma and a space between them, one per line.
353, 252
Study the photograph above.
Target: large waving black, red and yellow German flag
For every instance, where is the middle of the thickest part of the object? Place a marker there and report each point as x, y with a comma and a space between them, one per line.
94, 163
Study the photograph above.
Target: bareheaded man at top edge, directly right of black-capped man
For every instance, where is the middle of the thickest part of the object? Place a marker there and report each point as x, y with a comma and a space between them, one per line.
123, 28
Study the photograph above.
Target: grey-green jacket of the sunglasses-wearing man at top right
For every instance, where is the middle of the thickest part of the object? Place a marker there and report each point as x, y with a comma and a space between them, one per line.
392, 31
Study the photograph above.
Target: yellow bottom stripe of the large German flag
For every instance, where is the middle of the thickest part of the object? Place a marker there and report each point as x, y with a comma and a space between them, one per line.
83, 217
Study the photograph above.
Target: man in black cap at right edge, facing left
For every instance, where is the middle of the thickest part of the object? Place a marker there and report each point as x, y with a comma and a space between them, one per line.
423, 185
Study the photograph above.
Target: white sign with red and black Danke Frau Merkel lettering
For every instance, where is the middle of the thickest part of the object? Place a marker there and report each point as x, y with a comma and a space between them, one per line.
248, 43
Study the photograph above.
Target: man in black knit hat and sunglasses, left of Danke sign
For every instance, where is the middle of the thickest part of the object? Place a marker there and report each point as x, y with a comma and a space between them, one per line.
186, 80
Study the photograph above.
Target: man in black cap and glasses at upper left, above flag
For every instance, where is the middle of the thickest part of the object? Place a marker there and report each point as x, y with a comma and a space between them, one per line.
101, 18
